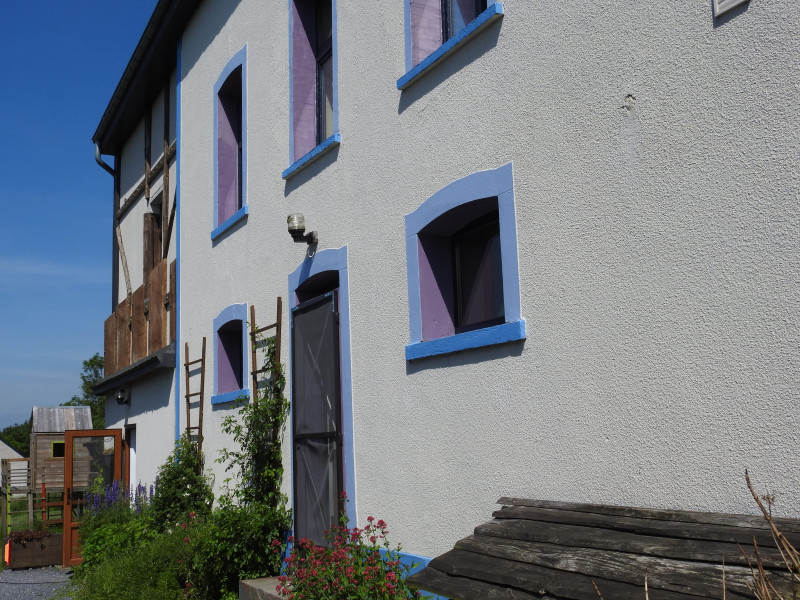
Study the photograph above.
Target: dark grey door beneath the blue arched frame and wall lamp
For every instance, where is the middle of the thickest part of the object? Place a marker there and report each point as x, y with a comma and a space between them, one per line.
316, 417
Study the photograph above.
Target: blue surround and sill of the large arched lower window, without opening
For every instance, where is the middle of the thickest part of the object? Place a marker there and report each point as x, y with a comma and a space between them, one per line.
483, 184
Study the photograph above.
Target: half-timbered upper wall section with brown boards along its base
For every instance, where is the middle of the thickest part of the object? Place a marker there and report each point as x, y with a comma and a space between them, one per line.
142, 321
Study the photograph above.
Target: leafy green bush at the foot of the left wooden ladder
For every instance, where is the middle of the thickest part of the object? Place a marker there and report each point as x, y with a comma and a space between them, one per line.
181, 486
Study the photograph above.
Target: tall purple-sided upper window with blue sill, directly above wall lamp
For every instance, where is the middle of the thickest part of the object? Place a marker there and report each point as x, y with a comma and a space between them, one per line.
313, 80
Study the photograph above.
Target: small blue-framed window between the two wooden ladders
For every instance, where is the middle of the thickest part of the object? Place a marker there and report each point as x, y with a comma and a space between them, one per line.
230, 349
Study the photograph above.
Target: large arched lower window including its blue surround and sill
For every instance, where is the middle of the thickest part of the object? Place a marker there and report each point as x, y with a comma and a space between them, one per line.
462, 267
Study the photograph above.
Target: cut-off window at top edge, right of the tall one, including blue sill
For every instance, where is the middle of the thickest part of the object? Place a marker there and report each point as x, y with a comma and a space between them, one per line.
434, 28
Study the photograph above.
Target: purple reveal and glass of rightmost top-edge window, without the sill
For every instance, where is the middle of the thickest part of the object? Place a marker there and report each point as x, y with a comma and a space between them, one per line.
433, 22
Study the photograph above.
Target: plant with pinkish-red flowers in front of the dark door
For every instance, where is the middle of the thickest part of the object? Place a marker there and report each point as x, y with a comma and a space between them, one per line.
357, 565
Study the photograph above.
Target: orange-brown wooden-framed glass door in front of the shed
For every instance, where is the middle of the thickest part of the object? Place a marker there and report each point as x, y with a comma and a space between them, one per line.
92, 461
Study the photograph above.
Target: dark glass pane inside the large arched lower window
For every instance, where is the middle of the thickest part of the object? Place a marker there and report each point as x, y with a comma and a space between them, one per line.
478, 274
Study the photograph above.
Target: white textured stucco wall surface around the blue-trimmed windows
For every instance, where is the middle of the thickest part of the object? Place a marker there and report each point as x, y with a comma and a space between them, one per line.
656, 184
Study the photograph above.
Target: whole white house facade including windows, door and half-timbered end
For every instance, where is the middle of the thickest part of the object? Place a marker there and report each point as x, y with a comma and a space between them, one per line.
554, 249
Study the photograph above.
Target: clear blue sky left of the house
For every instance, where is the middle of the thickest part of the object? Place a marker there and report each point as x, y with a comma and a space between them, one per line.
59, 64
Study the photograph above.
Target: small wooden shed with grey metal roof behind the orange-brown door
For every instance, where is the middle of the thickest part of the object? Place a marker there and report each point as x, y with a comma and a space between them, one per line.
47, 442
